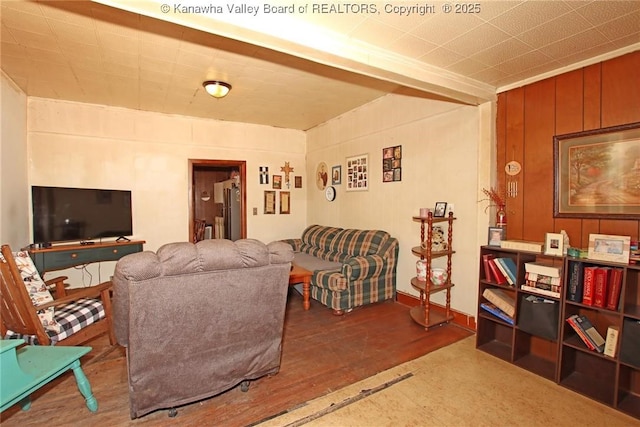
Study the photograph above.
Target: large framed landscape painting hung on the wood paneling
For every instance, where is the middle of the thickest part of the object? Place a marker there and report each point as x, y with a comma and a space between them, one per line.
597, 173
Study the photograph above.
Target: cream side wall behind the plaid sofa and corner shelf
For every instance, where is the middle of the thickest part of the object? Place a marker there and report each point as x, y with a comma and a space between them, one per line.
440, 162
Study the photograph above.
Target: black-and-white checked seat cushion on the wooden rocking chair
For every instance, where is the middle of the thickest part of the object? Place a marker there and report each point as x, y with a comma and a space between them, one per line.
71, 317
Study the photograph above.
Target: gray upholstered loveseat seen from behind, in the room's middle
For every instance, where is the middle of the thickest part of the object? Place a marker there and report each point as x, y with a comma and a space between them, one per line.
199, 319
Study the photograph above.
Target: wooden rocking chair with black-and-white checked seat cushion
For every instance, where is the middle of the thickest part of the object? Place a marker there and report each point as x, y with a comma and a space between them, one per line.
74, 309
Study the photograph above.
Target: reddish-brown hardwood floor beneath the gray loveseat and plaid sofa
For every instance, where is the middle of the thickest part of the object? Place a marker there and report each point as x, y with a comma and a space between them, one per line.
321, 353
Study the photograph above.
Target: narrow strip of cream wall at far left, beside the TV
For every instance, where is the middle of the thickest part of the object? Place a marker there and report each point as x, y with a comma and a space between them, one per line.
14, 199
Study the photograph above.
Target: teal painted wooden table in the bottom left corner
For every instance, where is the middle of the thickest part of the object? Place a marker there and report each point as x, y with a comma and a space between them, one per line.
25, 370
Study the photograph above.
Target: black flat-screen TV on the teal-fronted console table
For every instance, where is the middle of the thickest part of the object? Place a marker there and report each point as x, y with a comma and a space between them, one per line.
65, 214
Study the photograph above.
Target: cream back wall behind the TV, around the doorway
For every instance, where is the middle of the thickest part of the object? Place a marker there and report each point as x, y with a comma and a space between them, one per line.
82, 145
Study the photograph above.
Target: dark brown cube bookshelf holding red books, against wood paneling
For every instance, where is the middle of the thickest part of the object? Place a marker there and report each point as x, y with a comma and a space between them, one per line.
566, 360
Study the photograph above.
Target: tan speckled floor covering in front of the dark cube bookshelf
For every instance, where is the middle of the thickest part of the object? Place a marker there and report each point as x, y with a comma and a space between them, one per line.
454, 386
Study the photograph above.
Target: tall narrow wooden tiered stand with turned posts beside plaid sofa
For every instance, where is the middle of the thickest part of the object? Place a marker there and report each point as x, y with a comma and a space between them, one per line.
423, 314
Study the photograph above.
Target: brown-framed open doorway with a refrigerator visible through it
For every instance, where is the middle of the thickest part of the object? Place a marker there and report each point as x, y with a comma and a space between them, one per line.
217, 195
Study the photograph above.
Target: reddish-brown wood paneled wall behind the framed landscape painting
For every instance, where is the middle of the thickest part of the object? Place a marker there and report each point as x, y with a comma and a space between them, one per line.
598, 96
